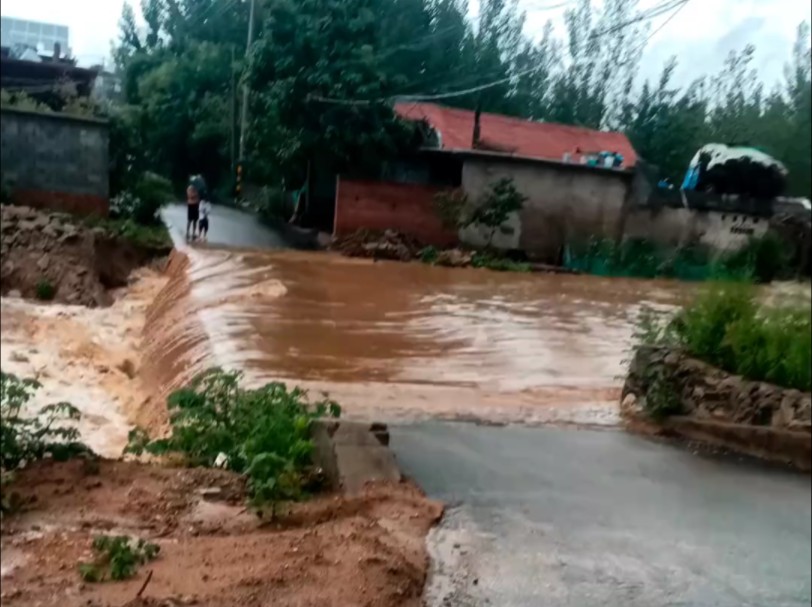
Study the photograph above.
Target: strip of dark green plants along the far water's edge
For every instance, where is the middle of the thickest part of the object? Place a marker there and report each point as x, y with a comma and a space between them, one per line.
762, 260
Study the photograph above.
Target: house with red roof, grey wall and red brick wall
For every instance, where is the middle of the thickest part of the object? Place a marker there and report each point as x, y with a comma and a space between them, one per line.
568, 196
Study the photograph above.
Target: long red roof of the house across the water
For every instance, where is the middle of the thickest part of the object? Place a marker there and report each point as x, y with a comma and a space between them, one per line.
543, 140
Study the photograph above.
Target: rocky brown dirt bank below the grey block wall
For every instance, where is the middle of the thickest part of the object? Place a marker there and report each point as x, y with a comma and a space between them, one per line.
52, 252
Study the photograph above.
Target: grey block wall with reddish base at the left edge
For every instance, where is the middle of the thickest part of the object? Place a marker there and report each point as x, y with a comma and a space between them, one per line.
55, 161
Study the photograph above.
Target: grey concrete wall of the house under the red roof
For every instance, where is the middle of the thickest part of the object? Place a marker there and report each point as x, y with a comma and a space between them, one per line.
564, 203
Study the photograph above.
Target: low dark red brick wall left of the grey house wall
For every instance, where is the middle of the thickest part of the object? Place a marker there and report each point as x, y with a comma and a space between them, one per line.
380, 205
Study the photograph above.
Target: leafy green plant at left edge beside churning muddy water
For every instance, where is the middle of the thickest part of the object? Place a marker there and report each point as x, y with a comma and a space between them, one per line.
25, 438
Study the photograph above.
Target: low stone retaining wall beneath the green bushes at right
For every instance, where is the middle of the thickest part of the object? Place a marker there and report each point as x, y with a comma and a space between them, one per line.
716, 407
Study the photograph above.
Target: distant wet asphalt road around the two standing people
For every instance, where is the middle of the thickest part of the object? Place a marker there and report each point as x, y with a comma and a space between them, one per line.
227, 226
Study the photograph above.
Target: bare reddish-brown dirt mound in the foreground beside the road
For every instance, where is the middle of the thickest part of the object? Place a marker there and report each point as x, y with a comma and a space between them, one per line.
366, 550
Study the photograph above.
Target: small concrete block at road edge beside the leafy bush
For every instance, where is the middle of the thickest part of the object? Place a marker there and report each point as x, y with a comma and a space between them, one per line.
353, 454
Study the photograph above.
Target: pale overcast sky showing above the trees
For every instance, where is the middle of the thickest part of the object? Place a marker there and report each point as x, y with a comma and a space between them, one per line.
701, 35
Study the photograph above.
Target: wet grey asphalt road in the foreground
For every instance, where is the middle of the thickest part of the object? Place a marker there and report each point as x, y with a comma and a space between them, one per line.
551, 517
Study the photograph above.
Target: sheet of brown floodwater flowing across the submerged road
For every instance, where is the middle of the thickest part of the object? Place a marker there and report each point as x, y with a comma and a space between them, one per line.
394, 340
